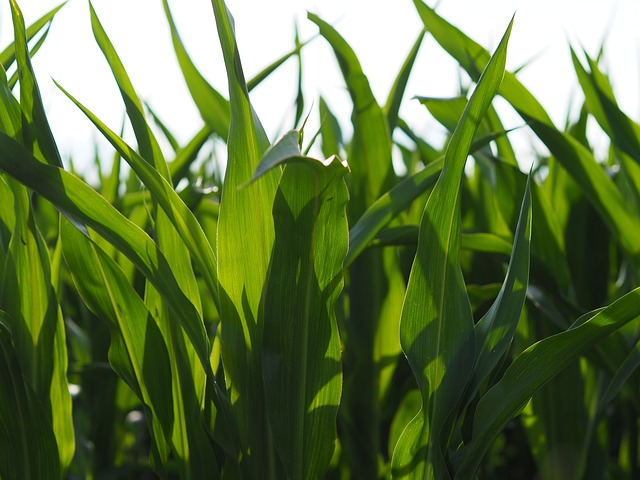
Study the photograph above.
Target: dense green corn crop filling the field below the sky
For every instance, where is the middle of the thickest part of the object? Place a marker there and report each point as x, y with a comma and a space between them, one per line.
301, 317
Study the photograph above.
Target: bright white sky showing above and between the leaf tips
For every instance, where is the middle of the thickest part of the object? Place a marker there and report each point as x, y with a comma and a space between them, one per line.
380, 31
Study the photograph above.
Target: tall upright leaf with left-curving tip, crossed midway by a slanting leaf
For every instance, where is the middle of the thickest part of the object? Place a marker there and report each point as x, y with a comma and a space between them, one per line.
376, 284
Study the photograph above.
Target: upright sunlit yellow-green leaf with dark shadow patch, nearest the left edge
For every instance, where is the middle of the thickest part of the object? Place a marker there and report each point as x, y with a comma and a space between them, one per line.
28, 297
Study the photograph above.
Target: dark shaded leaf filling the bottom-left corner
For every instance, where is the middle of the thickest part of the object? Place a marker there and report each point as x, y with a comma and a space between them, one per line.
27, 442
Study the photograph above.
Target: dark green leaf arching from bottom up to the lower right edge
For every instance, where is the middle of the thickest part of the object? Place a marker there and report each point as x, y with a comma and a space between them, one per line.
535, 367
